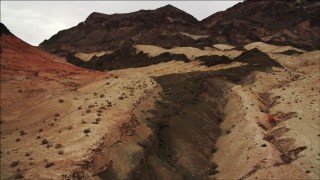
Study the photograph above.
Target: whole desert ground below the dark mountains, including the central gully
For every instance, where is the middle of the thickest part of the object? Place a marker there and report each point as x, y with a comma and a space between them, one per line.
172, 120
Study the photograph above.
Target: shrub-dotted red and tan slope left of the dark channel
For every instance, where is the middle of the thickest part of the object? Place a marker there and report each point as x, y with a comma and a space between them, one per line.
54, 116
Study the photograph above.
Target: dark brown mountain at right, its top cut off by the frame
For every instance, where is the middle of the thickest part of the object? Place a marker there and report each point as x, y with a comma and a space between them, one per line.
293, 23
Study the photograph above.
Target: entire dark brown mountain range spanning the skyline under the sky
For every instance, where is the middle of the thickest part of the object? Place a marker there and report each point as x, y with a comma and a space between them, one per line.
294, 23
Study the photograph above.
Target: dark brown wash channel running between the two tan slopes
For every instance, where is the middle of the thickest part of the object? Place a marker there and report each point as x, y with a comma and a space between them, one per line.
184, 115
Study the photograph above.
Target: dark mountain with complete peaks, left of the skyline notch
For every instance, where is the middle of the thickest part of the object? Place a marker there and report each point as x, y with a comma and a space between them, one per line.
161, 27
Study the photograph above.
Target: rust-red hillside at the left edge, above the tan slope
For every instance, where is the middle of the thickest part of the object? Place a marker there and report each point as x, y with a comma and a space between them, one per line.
28, 73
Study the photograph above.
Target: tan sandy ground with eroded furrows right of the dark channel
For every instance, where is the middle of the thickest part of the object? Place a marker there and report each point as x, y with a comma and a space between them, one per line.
274, 133
